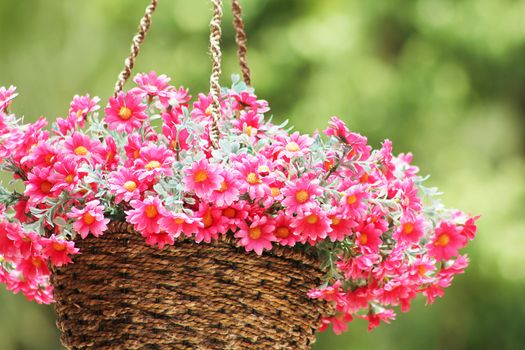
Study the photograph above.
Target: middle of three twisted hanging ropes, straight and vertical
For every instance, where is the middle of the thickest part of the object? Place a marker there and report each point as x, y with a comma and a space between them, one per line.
215, 87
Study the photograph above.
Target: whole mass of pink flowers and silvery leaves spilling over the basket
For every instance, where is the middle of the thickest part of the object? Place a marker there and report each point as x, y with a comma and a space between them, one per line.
382, 237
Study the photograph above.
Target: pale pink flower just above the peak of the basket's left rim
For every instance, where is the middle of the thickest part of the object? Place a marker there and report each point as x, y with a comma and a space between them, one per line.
125, 185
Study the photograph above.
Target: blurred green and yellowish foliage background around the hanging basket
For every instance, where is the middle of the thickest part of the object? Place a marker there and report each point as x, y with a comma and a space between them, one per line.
444, 79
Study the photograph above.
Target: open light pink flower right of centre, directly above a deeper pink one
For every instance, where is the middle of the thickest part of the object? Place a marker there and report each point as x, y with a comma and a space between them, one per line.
300, 195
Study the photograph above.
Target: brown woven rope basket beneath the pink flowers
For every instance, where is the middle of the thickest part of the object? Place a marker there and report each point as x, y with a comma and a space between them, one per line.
121, 293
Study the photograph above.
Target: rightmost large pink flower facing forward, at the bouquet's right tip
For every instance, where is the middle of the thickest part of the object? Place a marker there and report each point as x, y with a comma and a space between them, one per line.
446, 242
